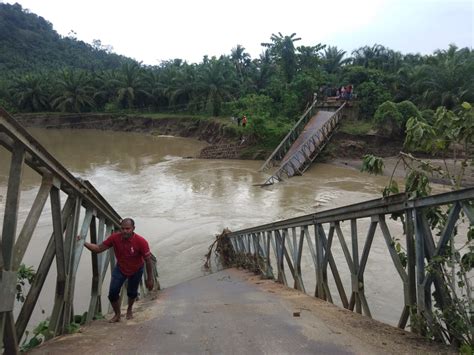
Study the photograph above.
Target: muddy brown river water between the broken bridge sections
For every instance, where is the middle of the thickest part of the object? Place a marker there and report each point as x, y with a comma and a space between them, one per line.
180, 204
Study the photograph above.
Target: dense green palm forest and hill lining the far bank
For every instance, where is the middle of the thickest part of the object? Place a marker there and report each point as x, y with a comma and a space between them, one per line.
43, 71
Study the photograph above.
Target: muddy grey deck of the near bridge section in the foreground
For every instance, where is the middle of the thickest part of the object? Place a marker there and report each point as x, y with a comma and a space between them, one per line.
234, 311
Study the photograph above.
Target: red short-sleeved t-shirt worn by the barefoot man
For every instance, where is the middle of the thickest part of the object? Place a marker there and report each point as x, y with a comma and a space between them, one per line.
129, 252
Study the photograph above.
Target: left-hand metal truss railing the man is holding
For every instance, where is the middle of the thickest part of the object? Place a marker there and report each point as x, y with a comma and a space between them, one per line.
84, 212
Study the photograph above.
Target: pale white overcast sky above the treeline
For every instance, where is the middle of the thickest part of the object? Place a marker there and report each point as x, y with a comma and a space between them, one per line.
152, 31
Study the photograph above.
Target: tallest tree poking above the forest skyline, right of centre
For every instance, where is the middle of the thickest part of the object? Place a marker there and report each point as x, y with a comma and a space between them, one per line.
282, 48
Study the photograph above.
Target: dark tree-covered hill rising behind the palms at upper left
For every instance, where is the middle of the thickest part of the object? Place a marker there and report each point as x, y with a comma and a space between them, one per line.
29, 43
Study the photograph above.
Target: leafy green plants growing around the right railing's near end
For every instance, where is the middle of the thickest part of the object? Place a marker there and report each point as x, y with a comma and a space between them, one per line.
450, 135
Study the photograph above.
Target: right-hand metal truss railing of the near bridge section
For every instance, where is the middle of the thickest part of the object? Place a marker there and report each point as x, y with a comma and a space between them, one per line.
319, 230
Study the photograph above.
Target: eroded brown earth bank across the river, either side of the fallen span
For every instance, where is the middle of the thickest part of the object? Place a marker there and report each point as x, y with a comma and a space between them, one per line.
212, 131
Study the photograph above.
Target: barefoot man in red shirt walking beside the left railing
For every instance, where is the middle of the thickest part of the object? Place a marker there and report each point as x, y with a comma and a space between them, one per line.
131, 251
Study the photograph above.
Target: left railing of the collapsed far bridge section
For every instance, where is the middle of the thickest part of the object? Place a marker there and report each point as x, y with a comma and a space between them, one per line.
290, 138
